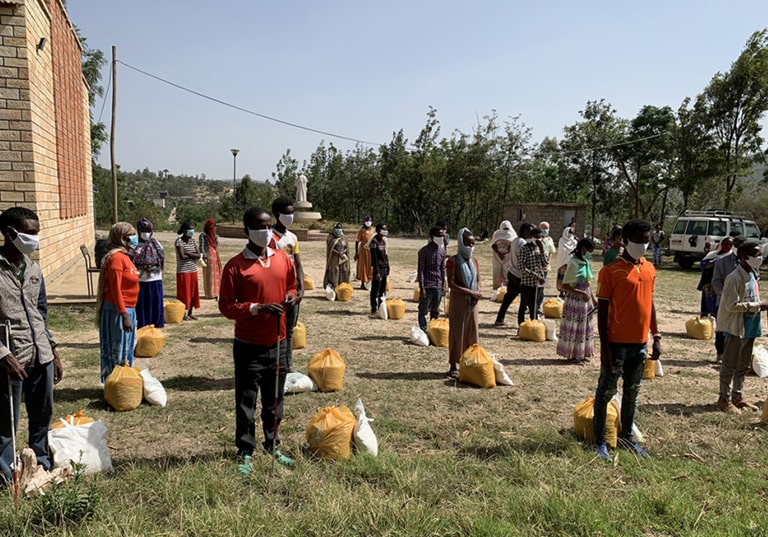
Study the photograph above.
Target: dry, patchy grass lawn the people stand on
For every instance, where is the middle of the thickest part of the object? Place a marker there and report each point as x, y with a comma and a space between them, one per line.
453, 459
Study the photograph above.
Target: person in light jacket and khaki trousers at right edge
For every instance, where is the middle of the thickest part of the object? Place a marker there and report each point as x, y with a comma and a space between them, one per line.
739, 319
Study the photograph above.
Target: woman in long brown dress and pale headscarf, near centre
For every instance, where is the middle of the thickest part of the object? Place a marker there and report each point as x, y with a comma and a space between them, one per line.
464, 282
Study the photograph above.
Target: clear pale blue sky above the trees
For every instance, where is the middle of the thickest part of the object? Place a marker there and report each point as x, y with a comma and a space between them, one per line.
365, 70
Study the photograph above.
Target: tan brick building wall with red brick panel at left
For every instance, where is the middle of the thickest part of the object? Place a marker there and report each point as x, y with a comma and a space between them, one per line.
45, 160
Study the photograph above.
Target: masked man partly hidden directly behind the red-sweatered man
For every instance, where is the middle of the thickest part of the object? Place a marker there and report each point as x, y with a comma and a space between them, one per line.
287, 241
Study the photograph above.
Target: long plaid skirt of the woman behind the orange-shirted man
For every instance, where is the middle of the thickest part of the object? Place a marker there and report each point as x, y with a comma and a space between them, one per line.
576, 338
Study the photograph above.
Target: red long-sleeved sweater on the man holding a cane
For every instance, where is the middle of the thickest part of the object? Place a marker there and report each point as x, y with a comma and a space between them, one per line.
245, 281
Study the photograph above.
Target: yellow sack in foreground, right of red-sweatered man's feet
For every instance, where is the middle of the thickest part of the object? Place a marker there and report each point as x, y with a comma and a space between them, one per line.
329, 433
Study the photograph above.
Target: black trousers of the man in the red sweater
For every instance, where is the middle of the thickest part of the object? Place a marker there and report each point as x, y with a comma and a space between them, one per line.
254, 371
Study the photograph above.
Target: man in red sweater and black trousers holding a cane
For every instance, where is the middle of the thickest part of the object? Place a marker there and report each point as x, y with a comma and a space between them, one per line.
257, 286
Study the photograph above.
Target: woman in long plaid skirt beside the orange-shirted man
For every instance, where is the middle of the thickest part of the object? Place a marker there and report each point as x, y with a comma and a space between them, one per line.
576, 341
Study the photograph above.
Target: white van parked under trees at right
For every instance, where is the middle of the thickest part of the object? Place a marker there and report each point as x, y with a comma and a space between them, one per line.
698, 232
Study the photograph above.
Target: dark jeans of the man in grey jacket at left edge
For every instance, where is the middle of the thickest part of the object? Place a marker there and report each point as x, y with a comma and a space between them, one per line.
37, 389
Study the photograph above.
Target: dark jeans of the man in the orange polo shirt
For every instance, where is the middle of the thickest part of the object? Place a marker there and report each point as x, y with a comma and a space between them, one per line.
628, 361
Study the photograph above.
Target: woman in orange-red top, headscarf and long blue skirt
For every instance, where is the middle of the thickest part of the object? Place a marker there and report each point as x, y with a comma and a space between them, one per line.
117, 295
